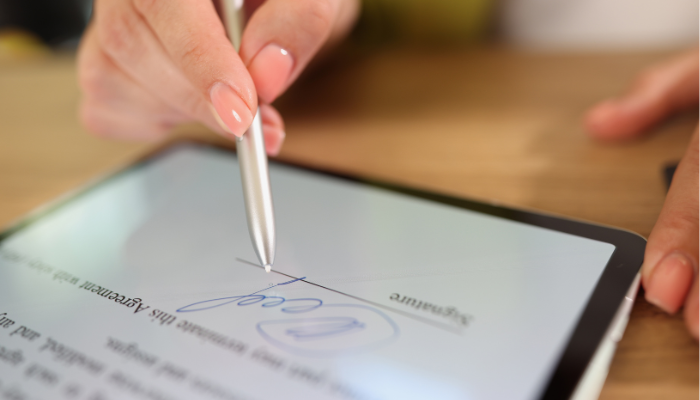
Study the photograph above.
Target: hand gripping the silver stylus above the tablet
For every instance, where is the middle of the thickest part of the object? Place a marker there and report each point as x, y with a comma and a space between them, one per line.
145, 66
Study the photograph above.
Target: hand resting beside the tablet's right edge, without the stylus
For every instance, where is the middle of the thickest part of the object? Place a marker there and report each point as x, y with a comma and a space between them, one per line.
670, 270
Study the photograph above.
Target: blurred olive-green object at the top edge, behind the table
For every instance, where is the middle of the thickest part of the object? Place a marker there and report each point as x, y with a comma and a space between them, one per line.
424, 21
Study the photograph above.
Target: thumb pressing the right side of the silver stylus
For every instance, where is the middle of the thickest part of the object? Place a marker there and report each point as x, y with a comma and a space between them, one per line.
283, 35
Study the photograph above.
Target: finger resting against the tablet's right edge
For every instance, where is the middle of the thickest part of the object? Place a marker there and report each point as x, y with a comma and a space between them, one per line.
671, 259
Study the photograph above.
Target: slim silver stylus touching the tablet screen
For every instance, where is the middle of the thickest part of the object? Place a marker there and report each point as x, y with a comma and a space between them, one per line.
252, 157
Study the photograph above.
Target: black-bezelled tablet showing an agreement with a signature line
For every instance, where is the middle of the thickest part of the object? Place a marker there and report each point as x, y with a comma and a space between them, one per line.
145, 285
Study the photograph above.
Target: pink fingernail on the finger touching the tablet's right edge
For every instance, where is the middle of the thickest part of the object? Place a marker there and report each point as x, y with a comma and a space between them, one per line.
670, 281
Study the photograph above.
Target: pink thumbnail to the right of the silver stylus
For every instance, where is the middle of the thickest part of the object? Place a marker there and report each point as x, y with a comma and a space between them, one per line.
270, 70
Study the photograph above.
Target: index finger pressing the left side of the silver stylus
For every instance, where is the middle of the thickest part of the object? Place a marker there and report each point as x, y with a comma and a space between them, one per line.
193, 36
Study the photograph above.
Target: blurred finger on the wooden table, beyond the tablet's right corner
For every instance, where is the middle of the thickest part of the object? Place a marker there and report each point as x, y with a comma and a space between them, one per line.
656, 94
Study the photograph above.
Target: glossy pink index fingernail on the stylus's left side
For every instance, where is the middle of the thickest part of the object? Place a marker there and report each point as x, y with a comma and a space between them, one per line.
231, 109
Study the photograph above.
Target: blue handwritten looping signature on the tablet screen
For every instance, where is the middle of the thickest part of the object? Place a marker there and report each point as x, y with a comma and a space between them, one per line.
320, 336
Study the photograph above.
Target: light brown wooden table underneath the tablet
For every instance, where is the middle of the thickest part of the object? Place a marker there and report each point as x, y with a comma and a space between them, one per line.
489, 124
